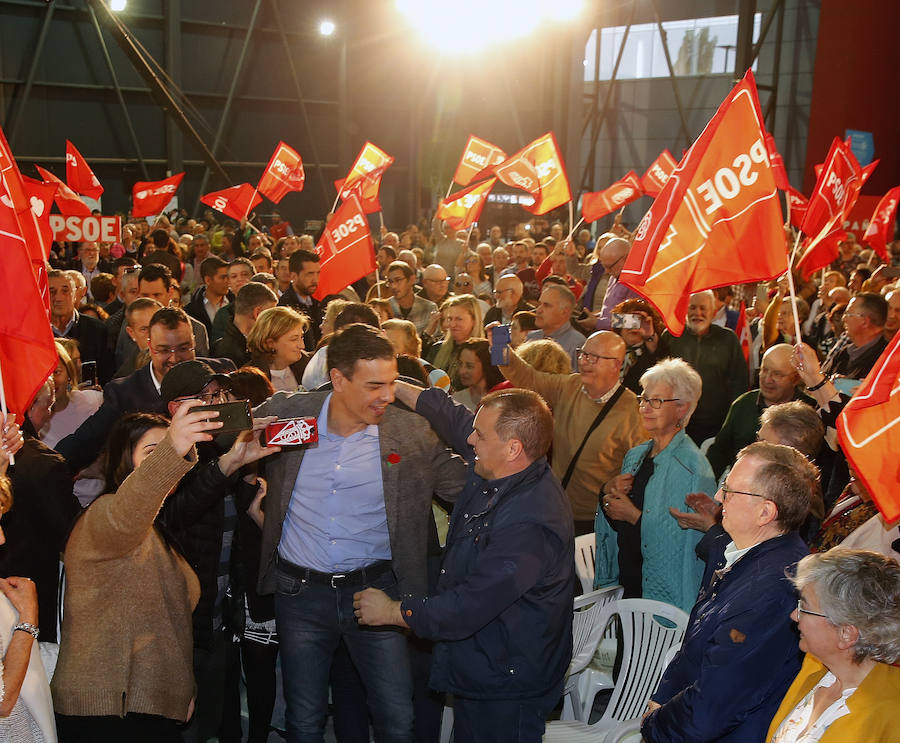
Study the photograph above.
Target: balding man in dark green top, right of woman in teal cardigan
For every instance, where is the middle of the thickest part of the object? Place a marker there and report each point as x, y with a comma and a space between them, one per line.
778, 382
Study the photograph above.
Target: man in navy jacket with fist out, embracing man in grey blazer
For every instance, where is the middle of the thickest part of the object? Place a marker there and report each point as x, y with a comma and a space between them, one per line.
503, 609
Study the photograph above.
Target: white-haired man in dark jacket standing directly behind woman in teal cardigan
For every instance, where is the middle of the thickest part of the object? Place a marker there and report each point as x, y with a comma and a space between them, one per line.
716, 354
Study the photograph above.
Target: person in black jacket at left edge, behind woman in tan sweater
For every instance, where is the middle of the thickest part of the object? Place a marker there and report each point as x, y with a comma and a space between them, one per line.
37, 526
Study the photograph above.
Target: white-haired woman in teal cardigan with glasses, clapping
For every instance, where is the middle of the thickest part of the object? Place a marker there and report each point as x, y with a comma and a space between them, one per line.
638, 543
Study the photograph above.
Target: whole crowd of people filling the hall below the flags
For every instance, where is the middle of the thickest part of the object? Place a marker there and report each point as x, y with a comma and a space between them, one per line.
506, 378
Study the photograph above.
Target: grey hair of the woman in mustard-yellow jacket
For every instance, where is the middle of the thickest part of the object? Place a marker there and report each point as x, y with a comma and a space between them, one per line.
860, 588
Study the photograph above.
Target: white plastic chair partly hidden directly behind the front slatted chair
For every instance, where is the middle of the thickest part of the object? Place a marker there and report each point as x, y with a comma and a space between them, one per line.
592, 613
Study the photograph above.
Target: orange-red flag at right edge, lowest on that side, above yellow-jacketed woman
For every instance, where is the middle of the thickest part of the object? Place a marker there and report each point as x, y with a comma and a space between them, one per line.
869, 431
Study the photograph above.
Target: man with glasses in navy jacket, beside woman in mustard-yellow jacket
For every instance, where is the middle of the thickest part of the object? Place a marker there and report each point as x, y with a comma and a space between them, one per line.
740, 652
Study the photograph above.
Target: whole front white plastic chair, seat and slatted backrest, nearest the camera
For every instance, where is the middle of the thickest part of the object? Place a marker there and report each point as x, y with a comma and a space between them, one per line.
649, 629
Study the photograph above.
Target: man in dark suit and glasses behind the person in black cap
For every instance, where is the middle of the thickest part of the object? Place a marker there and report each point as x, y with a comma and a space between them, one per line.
171, 341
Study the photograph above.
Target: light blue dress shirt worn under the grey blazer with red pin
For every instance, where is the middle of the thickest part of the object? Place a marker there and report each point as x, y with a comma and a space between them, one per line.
336, 521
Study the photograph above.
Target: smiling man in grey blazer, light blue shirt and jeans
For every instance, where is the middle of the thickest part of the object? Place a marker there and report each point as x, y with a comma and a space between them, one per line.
368, 484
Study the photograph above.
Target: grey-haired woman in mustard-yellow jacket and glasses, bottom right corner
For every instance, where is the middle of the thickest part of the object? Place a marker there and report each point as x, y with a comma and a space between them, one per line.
848, 616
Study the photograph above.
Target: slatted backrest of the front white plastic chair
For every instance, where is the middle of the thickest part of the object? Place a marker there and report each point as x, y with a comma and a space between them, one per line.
649, 629
